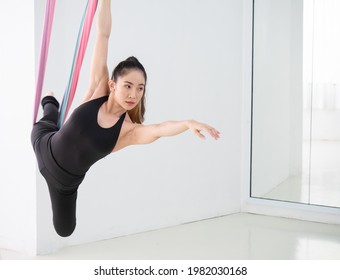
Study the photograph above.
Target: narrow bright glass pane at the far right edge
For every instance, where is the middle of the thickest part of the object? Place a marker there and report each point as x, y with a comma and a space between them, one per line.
325, 150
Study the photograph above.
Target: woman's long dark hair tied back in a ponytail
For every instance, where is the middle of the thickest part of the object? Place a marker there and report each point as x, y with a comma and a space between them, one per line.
132, 63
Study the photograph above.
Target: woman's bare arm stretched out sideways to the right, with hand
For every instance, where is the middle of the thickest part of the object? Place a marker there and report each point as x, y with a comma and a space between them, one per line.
147, 134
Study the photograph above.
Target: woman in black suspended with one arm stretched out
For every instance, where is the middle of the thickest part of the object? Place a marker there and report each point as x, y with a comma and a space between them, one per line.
109, 119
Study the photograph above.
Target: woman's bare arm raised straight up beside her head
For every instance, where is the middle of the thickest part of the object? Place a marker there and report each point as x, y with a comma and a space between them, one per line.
99, 73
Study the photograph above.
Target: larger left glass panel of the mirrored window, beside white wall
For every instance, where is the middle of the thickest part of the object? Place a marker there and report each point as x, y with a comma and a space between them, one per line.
278, 154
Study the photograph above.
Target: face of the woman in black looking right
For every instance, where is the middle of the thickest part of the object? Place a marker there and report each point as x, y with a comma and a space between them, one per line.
129, 89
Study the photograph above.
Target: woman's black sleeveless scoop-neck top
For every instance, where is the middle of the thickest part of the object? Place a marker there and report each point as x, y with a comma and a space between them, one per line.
81, 141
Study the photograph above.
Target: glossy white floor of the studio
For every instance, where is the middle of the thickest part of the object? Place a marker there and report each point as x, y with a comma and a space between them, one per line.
238, 237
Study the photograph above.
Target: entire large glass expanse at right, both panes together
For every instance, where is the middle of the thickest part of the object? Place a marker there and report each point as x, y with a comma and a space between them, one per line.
296, 101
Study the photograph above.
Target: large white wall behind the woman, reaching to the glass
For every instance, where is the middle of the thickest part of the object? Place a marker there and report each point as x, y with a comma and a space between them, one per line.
192, 51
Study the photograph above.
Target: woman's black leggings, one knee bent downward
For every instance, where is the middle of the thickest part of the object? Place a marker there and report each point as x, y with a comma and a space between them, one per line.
62, 185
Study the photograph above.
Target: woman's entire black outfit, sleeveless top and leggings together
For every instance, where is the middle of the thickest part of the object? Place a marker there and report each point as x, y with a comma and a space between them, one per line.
65, 155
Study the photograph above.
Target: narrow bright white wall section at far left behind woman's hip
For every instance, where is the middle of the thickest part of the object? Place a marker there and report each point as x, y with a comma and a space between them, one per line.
17, 165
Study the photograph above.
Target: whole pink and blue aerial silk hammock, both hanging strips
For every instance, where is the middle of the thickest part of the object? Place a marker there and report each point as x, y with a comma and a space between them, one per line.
79, 53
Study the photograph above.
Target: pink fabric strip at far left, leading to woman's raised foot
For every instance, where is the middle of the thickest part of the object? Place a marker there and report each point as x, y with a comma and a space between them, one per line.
50, 5
